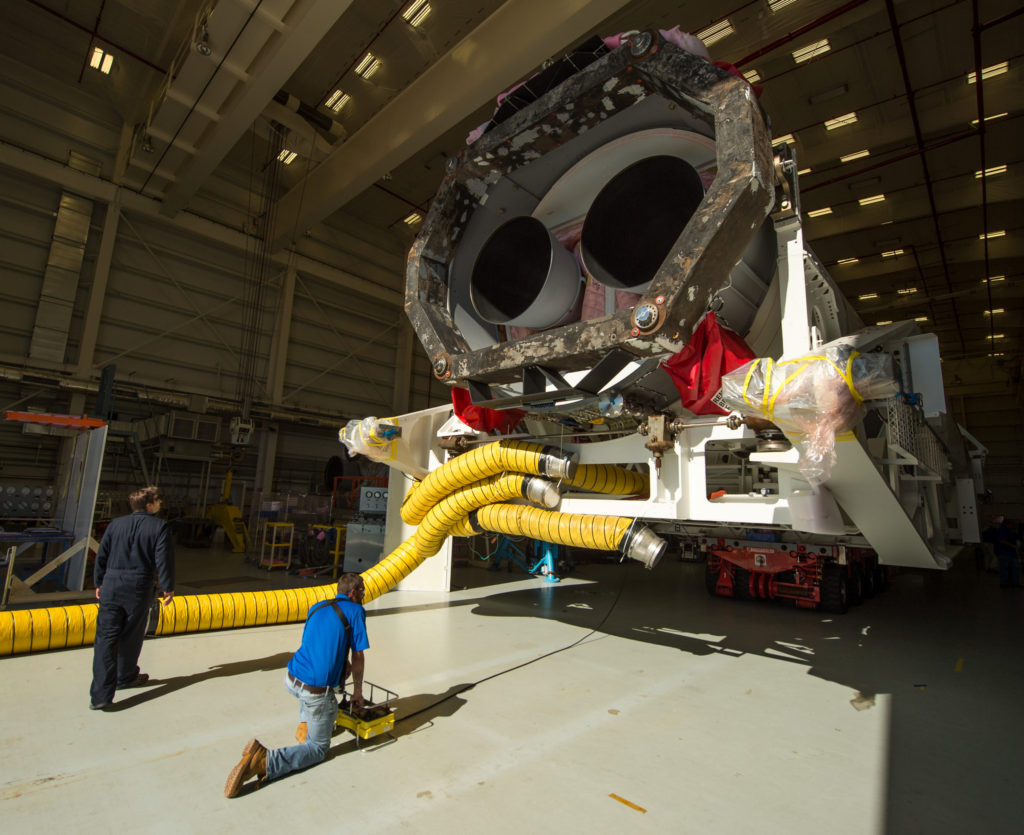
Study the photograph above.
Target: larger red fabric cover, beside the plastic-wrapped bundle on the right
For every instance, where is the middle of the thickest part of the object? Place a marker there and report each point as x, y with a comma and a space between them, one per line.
698, 369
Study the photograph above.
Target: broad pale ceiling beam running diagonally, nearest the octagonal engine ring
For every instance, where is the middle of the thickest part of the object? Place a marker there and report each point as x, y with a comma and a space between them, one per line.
492, 58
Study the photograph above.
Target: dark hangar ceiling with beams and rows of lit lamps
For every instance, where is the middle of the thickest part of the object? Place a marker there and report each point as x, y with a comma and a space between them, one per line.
913, 200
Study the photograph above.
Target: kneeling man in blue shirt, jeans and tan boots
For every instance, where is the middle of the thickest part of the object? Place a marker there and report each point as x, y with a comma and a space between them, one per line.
333, 629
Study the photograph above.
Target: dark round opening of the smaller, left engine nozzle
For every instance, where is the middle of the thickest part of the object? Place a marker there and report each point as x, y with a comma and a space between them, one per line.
511, 270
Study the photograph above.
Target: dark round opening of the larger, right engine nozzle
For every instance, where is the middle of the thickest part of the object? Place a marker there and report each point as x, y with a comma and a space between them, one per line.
636, 220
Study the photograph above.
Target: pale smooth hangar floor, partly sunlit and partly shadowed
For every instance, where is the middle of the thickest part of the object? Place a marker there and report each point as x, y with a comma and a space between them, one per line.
618, 700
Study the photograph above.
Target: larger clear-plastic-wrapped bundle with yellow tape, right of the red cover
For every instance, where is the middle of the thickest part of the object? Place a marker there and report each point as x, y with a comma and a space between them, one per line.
813, 399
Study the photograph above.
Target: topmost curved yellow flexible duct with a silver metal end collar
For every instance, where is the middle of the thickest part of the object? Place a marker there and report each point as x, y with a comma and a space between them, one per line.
502, 456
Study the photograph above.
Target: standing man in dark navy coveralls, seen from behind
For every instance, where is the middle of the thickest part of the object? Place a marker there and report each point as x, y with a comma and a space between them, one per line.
135, 550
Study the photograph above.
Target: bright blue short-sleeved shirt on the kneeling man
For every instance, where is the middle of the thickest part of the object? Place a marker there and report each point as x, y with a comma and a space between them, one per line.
321, 659
